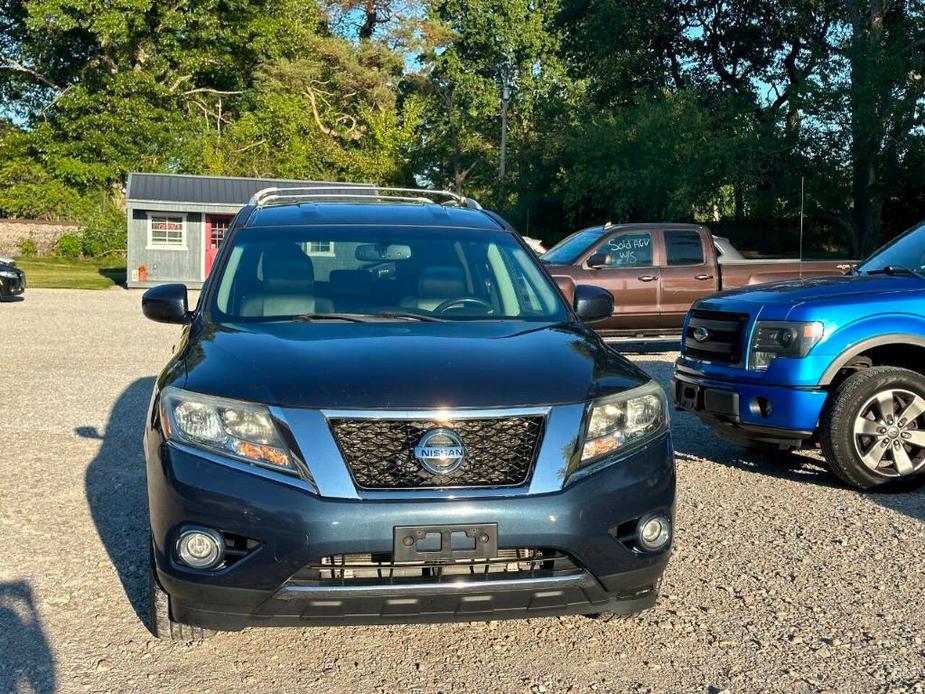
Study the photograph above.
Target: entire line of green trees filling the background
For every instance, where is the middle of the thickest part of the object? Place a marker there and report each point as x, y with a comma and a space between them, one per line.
702, 110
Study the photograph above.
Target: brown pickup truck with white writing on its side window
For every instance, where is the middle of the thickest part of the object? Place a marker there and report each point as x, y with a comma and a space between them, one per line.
656, 271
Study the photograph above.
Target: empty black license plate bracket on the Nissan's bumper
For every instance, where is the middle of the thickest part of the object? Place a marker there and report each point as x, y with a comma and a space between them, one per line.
472, 541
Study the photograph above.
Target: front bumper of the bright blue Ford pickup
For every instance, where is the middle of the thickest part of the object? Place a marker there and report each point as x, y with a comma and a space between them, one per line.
749, 412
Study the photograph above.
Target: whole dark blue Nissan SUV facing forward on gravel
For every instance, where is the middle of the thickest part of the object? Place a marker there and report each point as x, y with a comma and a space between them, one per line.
384, 410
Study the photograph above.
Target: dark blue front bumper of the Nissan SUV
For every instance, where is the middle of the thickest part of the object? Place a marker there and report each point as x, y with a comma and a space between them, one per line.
295, 527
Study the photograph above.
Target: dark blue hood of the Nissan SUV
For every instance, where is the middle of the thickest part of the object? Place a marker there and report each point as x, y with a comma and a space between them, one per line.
400, 365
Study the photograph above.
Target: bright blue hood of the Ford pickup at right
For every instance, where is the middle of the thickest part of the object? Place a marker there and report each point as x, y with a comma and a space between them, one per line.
812, 289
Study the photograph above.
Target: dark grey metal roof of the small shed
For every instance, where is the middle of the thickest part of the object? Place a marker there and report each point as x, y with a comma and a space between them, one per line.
221, 190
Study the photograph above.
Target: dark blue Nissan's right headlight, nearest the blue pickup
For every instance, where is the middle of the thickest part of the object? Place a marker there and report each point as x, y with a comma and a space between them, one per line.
619, 422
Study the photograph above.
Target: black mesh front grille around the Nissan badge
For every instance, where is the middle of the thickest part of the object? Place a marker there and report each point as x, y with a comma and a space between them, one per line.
500, 451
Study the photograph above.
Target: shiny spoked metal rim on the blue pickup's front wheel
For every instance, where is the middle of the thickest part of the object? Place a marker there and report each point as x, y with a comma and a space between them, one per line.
889, 434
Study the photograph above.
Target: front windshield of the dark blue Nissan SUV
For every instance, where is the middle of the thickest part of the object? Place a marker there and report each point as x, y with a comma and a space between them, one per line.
433, 274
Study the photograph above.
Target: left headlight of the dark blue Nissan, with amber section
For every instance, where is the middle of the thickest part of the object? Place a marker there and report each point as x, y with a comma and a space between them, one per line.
229, 427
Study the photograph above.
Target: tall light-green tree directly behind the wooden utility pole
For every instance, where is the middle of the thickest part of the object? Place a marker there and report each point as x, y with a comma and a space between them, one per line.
467, 46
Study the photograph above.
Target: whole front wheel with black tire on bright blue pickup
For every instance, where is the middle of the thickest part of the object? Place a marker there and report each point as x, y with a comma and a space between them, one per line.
873, 427
